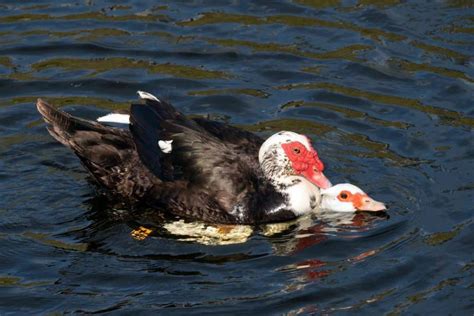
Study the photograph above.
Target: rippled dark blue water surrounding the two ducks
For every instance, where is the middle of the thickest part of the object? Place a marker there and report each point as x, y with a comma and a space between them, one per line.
384, 88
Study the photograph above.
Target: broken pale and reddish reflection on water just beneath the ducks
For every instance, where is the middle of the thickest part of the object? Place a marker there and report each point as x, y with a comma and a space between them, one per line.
293, 236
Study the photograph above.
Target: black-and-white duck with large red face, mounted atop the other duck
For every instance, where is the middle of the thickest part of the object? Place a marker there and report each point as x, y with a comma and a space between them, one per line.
196, 168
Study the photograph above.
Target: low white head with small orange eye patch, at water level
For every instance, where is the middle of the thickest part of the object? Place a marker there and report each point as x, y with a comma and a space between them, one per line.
346, 197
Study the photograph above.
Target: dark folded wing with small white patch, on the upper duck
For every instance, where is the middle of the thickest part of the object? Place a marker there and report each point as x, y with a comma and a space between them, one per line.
209, 165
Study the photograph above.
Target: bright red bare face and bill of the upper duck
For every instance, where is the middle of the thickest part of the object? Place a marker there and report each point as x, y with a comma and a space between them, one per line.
306, 163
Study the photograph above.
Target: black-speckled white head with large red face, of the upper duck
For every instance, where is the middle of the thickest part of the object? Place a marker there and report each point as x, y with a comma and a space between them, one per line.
286, 155
